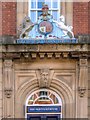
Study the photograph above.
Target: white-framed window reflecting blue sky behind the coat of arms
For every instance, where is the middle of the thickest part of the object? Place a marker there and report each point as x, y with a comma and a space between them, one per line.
36, 5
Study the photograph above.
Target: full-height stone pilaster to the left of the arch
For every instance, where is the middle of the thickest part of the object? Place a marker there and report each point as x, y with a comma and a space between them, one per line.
8, 87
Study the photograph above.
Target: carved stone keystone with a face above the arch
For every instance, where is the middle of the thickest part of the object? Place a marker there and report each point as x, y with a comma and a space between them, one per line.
44, 77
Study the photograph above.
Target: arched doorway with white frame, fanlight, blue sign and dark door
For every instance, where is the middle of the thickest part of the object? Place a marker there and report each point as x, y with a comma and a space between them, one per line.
45, 104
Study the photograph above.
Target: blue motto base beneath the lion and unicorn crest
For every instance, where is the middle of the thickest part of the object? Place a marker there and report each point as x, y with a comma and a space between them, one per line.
46, 41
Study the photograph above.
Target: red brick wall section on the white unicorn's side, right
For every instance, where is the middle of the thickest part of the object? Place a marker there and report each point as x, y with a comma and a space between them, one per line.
80, 17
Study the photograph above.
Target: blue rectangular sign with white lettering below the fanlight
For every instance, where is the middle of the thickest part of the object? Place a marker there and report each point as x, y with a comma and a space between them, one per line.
43, 109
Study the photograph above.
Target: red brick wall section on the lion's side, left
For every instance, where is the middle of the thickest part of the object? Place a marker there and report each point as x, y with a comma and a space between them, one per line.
9, 18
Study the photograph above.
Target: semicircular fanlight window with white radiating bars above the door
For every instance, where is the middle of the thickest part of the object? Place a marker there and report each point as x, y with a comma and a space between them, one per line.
43, 95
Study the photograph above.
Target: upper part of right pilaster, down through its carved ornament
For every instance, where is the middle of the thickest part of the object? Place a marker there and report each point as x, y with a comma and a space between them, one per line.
83, 70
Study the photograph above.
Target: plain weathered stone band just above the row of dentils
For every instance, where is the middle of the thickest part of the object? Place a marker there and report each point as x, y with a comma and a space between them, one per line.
44, 48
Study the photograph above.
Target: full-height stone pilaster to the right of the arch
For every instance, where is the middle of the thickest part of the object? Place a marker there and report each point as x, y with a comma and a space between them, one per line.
82, 96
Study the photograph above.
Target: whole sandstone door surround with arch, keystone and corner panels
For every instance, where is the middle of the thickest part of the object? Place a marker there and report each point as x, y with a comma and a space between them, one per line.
55, 75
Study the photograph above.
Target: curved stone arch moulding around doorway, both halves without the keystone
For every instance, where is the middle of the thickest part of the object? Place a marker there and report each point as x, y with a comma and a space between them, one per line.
57, 86
